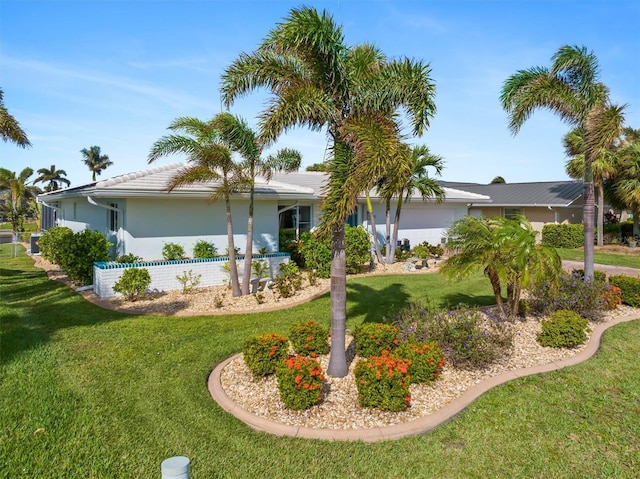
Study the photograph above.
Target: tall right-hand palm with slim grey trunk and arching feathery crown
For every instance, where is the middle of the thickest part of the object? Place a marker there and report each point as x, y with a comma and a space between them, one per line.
571, 89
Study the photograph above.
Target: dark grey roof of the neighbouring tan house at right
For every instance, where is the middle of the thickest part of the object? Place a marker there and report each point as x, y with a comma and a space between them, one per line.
550, 193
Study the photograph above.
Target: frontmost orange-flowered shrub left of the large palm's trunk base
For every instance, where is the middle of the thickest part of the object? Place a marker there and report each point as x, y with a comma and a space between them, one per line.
300, 382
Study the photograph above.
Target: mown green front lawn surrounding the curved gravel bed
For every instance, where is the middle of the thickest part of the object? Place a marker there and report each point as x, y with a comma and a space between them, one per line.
91, 393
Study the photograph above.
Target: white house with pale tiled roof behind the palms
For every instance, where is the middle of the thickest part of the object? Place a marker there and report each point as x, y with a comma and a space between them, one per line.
137, 214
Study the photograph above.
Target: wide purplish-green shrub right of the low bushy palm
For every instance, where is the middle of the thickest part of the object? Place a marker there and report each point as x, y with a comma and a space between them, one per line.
571, 292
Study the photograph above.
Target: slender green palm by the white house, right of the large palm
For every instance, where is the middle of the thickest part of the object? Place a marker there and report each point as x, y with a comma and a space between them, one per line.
416, 179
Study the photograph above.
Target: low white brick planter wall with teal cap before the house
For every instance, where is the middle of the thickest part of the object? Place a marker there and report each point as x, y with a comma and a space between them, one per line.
163, 273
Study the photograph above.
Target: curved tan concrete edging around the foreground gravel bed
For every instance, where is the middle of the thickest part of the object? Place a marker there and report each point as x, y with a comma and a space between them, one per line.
411, 428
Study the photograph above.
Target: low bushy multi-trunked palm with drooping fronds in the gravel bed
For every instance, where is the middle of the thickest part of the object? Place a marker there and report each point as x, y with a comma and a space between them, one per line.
506, 250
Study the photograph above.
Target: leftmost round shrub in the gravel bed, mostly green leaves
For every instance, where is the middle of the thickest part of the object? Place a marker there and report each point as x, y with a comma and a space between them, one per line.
262, 354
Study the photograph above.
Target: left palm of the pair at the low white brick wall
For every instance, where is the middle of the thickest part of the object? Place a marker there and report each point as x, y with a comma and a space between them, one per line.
210, 159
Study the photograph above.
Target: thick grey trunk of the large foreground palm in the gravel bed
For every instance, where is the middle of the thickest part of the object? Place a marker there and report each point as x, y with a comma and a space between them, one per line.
338, 359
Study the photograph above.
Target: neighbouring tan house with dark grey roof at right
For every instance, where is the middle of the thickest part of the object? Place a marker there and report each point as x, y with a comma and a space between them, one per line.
544, 202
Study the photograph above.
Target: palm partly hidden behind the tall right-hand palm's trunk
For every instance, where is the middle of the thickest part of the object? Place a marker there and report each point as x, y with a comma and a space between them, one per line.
602, 165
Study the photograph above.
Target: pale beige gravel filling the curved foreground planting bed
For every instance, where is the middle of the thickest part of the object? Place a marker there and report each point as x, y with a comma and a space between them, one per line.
340, 409
